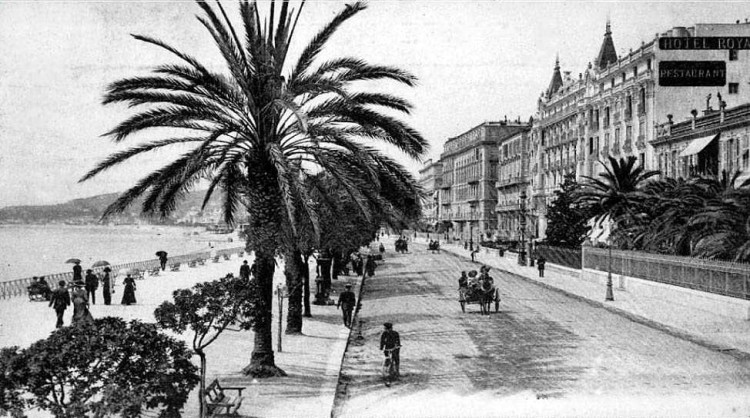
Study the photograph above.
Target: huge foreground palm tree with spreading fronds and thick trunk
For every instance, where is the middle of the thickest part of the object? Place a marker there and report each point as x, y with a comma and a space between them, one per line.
259, 129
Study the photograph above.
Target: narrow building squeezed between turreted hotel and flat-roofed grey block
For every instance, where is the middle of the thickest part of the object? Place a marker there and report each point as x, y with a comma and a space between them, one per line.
513, 179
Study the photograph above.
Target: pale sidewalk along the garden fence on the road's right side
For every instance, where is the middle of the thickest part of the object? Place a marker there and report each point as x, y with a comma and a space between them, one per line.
700, 326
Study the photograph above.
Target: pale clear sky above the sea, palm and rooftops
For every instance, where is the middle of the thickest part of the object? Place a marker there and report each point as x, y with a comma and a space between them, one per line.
476, 61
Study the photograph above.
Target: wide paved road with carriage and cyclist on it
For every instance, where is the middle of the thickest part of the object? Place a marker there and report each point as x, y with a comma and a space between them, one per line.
543, 353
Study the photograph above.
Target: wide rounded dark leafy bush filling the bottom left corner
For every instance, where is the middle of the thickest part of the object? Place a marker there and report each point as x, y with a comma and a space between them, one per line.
100, 368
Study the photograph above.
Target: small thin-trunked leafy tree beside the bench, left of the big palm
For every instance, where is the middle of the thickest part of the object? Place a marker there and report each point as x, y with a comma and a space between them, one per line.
208, 309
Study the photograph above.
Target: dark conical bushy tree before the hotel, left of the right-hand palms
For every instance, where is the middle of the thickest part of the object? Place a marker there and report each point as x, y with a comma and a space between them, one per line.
567, 220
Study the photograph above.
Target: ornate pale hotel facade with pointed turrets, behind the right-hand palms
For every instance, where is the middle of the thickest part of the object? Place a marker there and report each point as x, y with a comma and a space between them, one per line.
613, 107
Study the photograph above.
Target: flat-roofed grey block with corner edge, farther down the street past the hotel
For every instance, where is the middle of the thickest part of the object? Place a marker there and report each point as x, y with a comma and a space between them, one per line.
468, 194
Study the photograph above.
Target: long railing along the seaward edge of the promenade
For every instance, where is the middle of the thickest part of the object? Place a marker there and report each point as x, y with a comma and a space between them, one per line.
19, 287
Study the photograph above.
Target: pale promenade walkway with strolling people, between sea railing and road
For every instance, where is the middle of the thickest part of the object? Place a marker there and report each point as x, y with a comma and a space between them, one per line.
312, 360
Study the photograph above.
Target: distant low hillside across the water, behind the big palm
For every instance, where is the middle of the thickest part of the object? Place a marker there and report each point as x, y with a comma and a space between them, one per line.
89, 210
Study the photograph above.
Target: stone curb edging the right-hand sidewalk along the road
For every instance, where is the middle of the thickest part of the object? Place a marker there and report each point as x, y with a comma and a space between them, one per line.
677, 333
